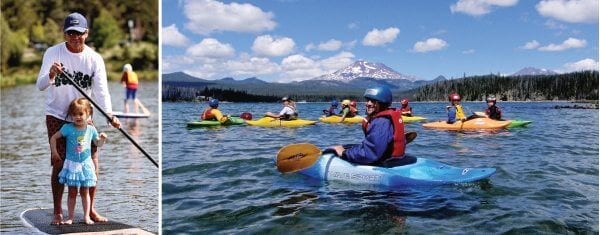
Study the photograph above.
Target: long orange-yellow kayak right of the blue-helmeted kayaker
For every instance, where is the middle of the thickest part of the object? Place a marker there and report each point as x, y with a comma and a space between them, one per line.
473, 124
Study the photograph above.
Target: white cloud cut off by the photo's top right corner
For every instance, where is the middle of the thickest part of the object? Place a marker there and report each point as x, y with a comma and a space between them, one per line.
573, 11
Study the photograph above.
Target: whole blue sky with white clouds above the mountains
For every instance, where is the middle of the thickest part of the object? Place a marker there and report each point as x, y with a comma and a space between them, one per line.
294, 40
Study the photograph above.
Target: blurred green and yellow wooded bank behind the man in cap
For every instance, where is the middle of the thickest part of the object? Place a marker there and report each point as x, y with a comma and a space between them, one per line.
121, 31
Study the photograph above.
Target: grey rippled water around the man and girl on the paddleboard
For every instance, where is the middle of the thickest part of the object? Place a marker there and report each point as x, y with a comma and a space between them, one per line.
128, 184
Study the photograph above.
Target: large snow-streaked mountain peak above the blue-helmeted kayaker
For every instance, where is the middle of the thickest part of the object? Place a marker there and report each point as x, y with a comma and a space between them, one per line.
365, 69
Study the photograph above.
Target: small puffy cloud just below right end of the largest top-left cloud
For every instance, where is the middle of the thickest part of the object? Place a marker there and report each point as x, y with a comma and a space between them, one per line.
266, 45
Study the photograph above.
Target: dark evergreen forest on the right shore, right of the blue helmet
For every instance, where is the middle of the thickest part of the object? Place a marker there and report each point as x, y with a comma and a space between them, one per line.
571, 86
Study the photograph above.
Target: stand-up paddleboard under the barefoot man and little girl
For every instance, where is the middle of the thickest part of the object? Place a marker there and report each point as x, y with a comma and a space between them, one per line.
40, 219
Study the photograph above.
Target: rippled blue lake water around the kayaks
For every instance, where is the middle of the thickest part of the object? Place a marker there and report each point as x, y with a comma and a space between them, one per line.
223, 180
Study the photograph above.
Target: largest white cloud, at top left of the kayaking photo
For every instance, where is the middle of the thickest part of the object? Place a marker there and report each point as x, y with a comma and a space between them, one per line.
207, 16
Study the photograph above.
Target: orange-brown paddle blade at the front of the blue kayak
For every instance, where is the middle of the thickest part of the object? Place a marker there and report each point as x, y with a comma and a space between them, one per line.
295, 157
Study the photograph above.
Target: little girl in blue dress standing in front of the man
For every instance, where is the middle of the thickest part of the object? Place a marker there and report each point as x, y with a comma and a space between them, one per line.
78, 169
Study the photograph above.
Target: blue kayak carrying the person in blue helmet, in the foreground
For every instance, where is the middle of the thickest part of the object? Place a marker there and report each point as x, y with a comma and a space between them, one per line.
422, 172
